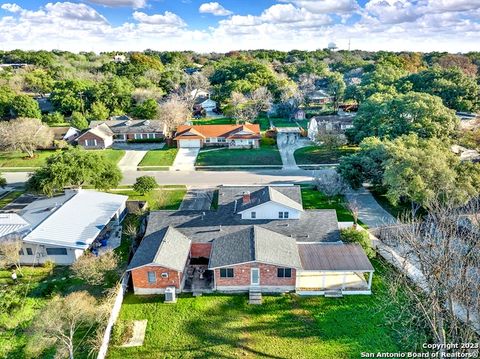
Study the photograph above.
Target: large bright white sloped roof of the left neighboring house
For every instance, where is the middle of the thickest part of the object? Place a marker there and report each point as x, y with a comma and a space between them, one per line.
78, 221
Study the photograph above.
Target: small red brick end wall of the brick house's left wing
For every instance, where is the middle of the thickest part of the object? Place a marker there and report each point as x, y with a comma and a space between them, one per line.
141, 285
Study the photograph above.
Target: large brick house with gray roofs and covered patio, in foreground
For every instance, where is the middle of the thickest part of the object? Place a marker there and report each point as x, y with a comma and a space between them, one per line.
260, 237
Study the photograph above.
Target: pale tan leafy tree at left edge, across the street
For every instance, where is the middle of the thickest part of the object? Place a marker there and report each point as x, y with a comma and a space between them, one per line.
24, 134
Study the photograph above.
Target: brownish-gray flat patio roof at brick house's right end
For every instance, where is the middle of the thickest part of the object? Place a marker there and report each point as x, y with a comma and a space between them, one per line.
333, 257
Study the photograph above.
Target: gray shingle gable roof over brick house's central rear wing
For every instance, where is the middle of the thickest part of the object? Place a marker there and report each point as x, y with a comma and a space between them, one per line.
254, 244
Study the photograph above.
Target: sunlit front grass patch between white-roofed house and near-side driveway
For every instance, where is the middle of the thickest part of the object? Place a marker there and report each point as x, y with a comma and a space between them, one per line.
168, 199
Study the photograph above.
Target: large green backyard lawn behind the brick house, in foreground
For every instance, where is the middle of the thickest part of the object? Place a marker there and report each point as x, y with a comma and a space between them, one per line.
284, 326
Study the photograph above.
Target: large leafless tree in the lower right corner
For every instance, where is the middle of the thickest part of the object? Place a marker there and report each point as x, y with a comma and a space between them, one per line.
444, 249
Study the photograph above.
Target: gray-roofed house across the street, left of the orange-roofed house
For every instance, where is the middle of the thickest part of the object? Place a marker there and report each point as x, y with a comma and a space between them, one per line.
121, 129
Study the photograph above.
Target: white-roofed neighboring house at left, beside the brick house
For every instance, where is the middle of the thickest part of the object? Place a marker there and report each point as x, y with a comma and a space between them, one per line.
62, 228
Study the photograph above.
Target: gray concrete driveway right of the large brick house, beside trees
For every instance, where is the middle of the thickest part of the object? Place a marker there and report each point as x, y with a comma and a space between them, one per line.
370, 212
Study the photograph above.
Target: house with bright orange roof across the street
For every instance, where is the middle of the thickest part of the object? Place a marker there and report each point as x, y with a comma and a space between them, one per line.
231, 136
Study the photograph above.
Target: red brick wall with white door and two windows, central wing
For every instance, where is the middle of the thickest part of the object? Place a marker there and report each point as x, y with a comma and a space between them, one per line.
269, 282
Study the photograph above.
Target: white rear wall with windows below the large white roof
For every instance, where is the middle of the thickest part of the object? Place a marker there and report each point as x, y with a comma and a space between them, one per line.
40, 256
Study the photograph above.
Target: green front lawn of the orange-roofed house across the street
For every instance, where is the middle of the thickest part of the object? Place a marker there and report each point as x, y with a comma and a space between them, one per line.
265, 155
